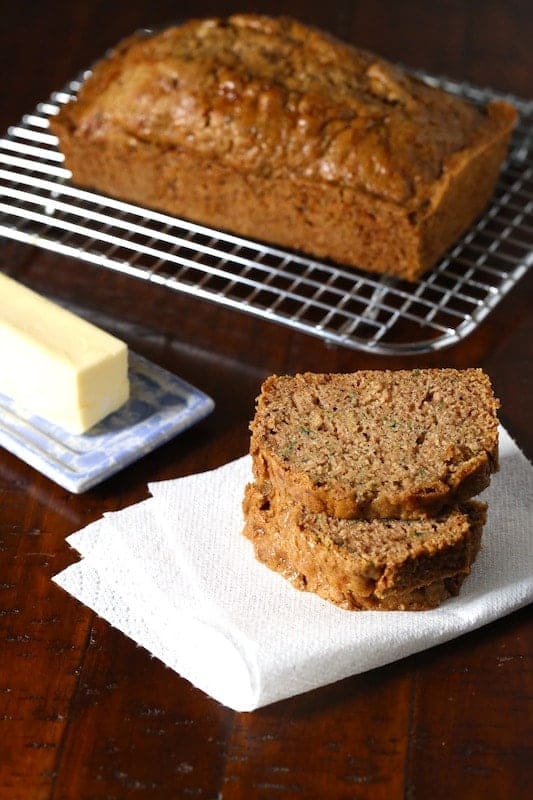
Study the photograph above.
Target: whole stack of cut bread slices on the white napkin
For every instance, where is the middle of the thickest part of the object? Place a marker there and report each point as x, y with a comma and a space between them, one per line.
363, 482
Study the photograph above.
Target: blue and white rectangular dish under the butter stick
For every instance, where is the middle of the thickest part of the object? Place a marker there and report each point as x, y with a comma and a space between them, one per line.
161, 405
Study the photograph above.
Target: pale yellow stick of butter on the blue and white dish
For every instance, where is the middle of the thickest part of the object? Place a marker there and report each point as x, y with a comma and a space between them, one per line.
57, 365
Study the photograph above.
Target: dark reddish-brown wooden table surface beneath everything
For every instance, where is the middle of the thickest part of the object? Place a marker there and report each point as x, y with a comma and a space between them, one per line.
87, 715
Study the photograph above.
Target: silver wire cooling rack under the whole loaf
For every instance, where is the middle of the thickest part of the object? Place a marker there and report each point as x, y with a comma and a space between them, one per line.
342, 306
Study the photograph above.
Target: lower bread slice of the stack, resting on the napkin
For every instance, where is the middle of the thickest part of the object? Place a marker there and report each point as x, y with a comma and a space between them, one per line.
357, 564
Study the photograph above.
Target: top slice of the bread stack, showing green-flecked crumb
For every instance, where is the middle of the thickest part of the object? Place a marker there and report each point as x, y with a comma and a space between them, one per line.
376, 444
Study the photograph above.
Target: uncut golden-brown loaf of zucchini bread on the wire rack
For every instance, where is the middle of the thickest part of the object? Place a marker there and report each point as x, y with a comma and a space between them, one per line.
277, 131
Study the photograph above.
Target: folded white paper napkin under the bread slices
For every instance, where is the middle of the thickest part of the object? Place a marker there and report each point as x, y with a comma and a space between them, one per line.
175, 574
